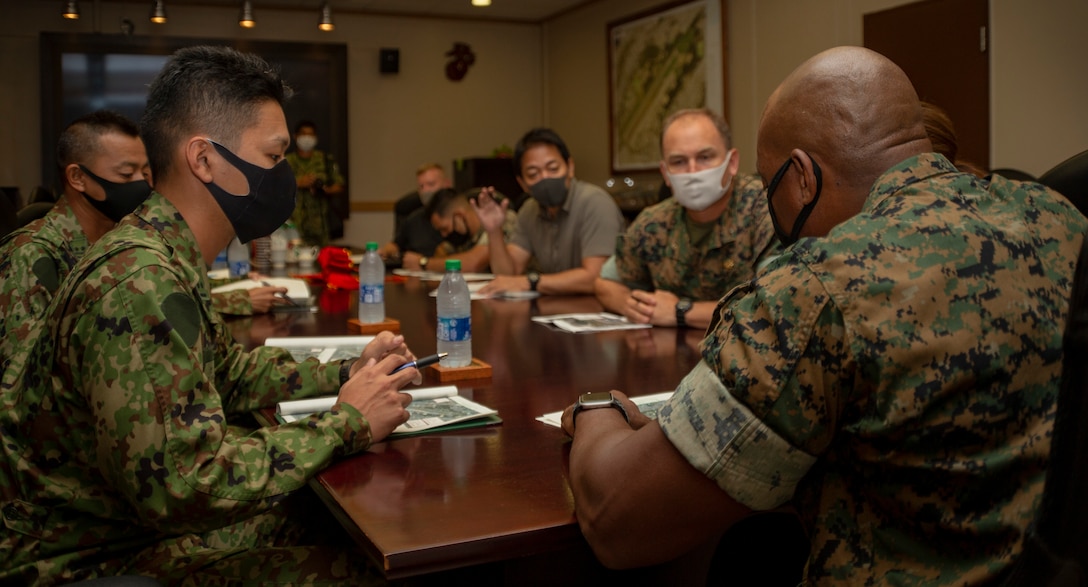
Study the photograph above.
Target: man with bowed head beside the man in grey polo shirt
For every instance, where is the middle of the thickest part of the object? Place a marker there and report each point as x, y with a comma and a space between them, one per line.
463, 234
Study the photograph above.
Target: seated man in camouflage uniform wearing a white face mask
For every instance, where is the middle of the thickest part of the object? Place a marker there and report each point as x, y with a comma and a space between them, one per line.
679, 257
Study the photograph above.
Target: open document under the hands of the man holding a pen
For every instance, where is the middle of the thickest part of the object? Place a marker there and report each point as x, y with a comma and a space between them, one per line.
432, 409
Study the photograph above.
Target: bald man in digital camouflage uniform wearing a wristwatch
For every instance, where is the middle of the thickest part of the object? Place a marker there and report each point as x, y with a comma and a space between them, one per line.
893, 376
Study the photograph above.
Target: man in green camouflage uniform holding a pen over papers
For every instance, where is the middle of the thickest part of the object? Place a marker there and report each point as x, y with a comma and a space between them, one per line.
125, 447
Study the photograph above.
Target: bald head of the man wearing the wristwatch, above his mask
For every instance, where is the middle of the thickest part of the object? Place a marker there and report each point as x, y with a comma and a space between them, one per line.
852, 109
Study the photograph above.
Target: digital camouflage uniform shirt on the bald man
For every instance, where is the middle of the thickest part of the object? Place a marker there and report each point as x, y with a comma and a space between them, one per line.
896, 379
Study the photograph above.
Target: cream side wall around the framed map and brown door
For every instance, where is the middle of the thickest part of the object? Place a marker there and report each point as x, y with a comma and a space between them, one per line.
1038, 86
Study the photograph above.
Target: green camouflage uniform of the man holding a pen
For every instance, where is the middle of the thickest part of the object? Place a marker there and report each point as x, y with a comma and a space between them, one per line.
122, 446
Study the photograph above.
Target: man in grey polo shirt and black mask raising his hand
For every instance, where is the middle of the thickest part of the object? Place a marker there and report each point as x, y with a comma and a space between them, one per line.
567, 230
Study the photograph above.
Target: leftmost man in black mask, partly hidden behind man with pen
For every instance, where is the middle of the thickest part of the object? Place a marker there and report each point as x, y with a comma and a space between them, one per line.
105, 173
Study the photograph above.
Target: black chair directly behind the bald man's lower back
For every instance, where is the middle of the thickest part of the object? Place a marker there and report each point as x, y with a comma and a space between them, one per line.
1056, 551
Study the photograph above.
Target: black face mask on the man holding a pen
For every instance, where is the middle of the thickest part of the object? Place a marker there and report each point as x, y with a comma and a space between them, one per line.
269, 204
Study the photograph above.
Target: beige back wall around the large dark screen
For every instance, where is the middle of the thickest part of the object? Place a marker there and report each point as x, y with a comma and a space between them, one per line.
397, 122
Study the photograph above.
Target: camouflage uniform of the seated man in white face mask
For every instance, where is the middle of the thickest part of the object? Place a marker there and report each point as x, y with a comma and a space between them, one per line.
657, 251
